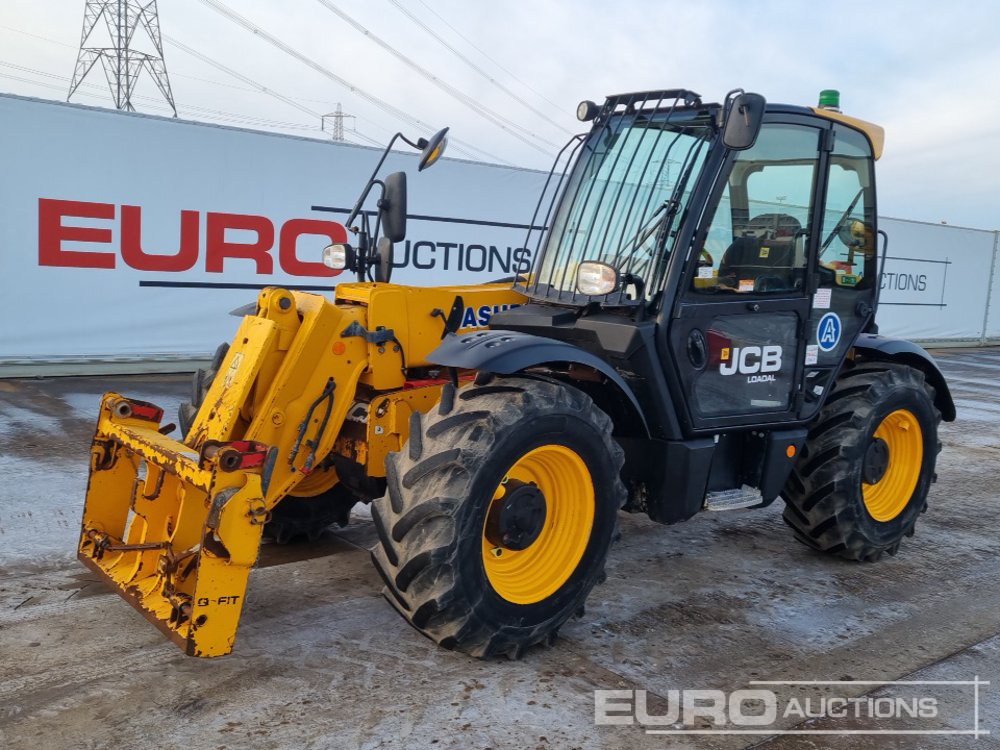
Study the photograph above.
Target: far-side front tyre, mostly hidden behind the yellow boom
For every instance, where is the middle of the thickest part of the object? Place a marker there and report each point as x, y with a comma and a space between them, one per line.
294, 517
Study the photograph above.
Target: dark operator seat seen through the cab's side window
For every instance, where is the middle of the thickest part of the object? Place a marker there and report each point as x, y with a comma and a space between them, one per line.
764, 253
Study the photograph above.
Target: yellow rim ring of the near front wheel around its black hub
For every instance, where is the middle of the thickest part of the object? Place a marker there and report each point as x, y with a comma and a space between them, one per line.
530, 575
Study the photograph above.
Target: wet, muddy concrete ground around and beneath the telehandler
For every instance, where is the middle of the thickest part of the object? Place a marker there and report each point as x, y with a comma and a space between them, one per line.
322, 661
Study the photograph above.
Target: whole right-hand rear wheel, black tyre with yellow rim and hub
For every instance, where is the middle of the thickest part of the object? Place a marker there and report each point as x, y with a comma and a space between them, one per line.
863, 477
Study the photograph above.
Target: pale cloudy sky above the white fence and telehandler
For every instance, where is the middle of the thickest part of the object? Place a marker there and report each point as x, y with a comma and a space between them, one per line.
928, 72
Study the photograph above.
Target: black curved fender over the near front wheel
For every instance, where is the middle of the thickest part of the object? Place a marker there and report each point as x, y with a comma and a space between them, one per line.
507, 352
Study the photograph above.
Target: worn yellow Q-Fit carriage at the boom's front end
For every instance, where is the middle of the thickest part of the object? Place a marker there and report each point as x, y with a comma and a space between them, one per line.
181, 551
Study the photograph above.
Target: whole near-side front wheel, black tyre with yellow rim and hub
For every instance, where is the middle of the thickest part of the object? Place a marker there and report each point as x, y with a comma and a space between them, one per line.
482, 464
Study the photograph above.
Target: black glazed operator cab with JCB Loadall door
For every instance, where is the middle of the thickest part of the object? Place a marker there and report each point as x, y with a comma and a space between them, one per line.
722, 254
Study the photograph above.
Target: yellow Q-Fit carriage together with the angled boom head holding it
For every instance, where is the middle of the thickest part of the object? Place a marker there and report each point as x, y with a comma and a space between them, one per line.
175, 527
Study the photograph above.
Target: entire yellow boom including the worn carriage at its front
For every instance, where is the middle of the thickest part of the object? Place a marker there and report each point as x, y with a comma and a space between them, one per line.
176, 526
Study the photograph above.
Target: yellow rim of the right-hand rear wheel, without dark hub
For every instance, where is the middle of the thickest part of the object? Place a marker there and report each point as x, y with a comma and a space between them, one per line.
886, 498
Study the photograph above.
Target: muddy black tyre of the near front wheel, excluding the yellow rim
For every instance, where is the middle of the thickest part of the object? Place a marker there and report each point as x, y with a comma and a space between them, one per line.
430, 523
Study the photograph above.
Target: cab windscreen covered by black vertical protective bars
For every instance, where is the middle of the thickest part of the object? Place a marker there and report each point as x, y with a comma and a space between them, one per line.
619, 203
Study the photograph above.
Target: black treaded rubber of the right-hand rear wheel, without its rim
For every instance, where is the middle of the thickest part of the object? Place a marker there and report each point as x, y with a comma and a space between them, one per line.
824, 500
